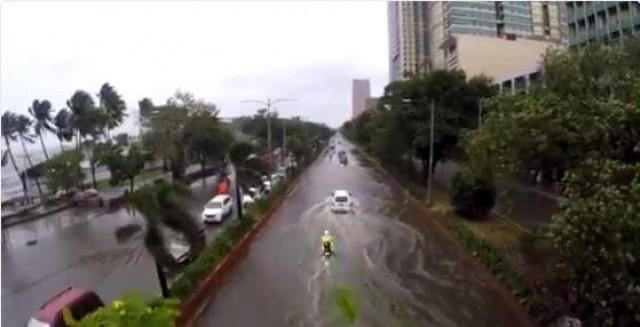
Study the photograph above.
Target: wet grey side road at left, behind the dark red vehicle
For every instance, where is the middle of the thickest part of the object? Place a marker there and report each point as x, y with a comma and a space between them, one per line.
79, 248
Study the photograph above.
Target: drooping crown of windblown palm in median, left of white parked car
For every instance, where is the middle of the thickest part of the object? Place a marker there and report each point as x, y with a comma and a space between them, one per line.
162, 204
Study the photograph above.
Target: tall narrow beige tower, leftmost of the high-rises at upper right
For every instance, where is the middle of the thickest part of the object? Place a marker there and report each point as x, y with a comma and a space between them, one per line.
408, 39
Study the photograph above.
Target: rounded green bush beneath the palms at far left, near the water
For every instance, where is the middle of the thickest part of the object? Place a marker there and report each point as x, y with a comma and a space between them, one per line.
63, 171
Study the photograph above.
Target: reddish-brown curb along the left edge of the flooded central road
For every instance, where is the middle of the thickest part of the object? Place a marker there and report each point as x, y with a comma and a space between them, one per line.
194, 305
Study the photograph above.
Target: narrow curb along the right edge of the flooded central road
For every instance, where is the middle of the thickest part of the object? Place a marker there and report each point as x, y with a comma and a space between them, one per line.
487, 276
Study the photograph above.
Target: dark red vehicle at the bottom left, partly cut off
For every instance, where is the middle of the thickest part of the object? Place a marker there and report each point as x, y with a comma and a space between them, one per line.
79, 301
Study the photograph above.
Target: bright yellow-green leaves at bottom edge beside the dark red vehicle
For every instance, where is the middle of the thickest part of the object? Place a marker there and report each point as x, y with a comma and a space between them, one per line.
130, 311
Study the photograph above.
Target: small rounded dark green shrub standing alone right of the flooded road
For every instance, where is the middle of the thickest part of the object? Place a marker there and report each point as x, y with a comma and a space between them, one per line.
472, 196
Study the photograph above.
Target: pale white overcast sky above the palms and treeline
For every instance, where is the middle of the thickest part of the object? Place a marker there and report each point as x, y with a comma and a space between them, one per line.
220, 51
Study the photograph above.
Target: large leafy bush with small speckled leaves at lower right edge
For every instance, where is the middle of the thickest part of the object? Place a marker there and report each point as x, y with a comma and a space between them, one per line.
598, 236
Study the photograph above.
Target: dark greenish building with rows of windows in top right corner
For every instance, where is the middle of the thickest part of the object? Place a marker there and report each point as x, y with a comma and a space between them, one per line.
601, 21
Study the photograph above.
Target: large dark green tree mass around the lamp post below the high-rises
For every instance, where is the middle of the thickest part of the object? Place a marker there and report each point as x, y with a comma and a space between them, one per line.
399, 128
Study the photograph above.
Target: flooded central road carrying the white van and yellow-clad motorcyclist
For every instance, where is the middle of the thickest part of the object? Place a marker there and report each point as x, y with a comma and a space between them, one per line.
401, 269
